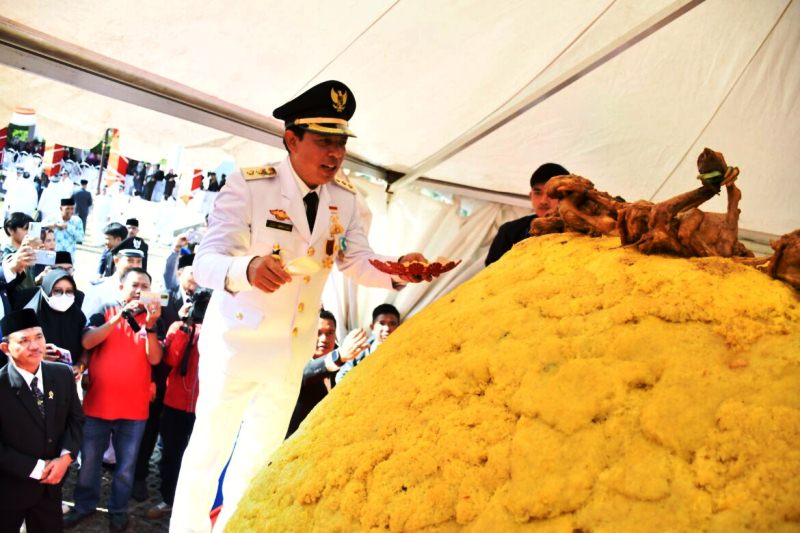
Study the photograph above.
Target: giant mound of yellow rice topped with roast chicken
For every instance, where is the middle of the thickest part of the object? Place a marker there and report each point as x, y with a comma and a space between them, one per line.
572, 386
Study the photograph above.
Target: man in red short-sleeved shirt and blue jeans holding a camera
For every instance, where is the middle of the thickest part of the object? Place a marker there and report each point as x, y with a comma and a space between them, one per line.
124, 344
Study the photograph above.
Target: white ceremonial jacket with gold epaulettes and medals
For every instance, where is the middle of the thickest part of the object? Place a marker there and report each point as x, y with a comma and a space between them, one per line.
256, 335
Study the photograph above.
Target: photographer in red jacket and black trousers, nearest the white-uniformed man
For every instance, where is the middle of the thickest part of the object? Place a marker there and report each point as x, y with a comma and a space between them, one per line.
177, 418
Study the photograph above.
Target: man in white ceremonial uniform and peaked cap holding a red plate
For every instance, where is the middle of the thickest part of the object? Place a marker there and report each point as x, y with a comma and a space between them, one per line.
273, 236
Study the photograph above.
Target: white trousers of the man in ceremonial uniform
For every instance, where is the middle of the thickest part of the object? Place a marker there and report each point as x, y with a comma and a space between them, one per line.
263, 409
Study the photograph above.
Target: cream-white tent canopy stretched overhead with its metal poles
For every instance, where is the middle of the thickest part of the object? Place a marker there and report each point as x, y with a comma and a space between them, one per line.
471, 94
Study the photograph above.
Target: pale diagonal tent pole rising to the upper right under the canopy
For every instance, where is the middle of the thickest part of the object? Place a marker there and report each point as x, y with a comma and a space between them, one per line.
670, 13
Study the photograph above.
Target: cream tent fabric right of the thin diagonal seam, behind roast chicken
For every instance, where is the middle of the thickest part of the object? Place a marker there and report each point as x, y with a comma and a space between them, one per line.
758, 127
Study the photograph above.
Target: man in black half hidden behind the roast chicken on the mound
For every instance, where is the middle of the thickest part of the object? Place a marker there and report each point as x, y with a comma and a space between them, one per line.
514, 231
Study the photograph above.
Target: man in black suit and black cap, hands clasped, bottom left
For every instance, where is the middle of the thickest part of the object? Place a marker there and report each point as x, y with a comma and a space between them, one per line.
41, 427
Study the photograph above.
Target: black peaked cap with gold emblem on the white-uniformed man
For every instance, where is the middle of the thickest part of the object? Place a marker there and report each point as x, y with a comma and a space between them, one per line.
323, 109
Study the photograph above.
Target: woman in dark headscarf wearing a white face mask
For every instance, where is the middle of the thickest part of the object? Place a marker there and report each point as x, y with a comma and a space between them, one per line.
58, 306
